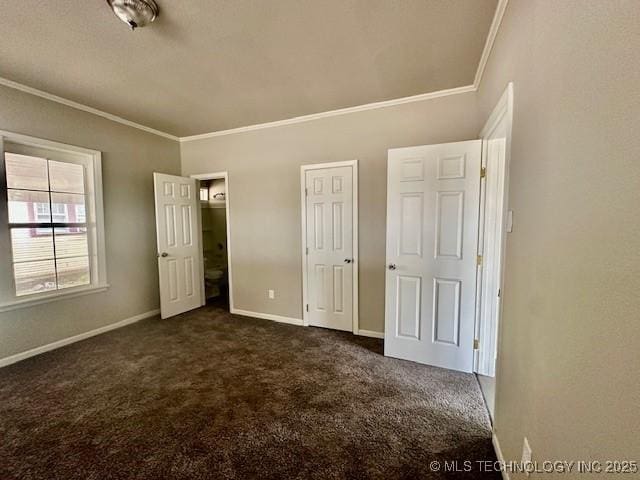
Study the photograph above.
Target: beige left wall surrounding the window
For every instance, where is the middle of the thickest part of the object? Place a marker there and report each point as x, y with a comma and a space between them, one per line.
129, 158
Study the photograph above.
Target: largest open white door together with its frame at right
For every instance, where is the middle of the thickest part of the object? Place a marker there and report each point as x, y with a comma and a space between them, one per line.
447, 222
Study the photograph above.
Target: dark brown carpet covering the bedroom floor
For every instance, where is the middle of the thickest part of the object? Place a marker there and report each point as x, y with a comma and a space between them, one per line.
208, 395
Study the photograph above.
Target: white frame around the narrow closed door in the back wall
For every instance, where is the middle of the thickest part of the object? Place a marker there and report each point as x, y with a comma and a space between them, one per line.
303, 202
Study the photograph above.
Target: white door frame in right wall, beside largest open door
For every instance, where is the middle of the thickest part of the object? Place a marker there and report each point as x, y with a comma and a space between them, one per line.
502, 112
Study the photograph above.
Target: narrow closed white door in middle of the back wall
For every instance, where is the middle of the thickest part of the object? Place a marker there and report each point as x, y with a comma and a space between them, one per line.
329, 239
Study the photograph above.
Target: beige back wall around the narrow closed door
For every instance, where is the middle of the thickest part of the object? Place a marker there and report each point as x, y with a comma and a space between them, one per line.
264, 193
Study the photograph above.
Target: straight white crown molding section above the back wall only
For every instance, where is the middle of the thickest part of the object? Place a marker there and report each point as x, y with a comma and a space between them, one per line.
333, 113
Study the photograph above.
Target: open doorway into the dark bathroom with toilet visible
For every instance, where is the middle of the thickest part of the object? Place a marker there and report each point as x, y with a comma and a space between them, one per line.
214, 223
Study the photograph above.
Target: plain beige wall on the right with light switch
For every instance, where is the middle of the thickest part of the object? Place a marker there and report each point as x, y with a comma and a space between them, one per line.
569, 365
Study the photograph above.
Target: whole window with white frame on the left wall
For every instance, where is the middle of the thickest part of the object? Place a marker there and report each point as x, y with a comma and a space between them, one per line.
54, 221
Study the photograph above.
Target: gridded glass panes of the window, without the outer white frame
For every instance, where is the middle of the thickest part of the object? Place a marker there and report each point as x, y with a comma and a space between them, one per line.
47, 222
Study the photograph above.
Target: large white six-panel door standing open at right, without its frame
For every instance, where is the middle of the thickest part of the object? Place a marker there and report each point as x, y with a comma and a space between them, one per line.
432, 235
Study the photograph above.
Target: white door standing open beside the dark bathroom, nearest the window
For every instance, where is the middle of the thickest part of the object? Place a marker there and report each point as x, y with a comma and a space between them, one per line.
178, 244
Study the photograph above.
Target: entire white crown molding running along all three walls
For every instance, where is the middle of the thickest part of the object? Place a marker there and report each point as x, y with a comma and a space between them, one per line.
486, 52
